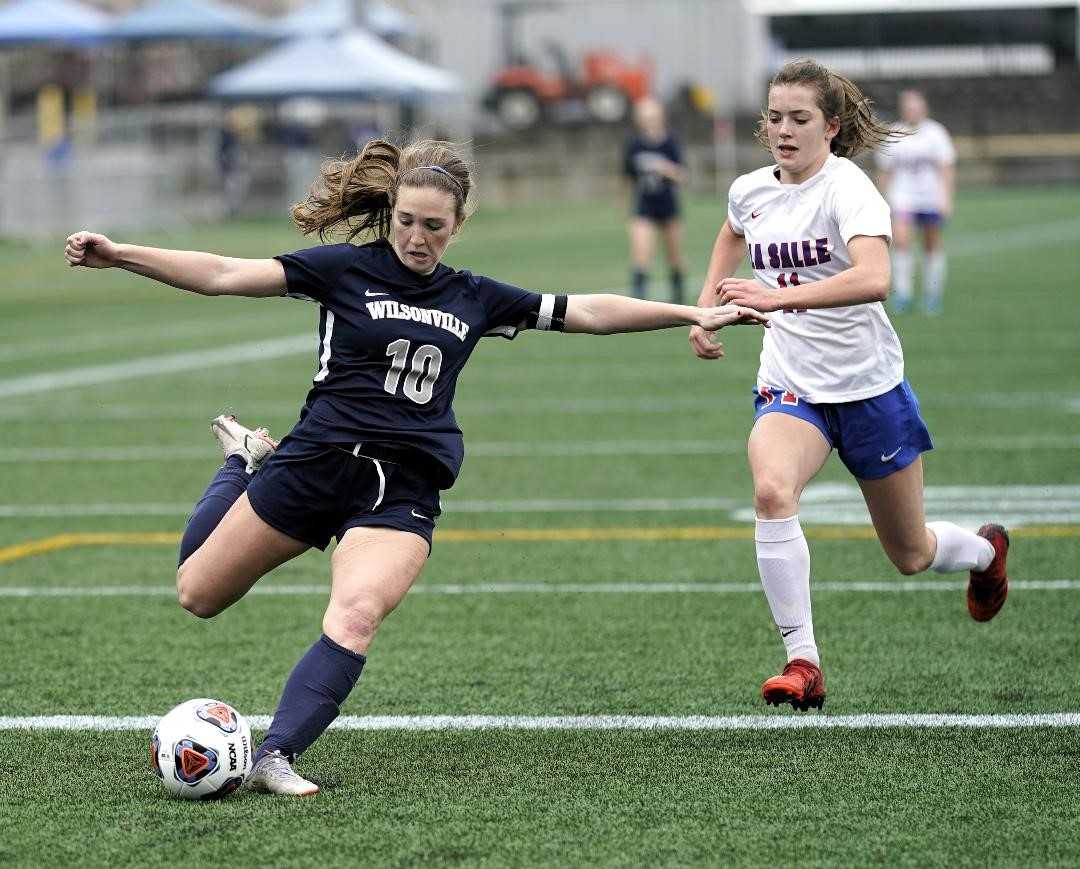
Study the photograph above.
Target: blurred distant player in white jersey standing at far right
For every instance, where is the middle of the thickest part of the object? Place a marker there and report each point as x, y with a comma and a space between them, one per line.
917, 174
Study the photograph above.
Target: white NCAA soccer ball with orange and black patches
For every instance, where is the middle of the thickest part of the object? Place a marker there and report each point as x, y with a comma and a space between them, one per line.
202, 750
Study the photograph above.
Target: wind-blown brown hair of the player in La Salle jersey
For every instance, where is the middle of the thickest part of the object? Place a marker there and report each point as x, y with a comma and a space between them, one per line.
838, 98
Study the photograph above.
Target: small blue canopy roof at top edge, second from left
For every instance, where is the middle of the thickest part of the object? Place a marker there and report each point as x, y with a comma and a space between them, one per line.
188, 20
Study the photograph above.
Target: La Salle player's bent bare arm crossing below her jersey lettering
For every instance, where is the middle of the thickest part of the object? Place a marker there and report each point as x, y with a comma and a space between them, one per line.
867, 281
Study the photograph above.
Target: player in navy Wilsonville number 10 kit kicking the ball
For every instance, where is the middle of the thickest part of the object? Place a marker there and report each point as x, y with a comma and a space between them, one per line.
376, 440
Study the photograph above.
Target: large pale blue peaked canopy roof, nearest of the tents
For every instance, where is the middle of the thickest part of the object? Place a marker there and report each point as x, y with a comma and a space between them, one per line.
355, 64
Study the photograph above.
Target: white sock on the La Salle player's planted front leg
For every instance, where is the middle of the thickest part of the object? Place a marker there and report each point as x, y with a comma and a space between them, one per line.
784, 561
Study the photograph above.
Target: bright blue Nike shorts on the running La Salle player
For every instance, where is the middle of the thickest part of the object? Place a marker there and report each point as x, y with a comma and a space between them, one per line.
874, 438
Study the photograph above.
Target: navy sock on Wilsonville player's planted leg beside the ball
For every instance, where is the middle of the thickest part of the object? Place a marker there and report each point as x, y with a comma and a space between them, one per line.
313, 699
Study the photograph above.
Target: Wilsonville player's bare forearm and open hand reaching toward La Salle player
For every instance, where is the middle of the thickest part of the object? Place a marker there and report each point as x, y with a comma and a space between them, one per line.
607, 315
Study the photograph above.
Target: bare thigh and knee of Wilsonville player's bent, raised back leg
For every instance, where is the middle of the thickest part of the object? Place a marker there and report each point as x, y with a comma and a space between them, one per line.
239, 552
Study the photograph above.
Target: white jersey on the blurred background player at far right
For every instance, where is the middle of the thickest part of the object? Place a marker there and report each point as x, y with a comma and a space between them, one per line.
915, 162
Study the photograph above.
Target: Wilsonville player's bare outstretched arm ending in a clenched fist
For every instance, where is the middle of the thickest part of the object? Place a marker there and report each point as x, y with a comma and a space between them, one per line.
208, 275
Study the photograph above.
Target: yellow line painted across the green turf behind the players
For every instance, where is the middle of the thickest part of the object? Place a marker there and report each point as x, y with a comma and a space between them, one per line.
32, 548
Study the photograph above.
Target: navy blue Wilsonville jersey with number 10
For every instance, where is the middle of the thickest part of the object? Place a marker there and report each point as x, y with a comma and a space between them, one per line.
394, 343
